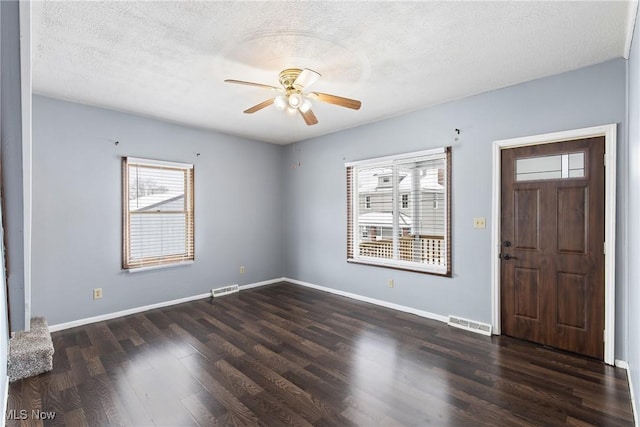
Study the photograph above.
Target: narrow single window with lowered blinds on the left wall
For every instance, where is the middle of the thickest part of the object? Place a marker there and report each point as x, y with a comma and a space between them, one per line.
157, 209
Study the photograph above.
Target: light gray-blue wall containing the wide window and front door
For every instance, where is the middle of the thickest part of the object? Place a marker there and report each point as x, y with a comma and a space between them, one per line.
315, 215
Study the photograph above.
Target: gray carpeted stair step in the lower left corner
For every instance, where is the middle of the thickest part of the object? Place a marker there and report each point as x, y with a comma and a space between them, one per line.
30, 352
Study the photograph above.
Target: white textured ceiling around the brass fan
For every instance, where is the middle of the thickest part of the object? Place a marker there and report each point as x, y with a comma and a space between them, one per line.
168, 60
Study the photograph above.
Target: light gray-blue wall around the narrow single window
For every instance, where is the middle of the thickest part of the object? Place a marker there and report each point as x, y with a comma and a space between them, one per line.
77, 210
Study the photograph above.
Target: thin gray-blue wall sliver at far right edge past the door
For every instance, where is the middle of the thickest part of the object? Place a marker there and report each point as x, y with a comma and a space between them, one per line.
634, 213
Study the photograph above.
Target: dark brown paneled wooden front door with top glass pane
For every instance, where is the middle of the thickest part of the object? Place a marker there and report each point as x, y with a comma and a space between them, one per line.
552, 245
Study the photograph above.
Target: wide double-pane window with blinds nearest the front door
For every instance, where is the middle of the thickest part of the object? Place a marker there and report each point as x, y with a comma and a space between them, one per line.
411, 236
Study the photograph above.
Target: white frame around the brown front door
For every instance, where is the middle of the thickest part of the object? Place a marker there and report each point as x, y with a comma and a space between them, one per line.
609, 133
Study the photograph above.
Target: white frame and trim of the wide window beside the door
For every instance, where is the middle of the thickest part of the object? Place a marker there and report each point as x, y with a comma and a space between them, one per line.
355, 234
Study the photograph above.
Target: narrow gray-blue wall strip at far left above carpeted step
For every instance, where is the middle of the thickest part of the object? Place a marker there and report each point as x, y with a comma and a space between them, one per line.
11, 135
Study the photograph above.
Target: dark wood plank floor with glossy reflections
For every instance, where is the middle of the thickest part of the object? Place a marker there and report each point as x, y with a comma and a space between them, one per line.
287, 355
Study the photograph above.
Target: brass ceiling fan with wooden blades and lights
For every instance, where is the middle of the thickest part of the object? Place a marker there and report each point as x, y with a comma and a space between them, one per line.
294, 81
